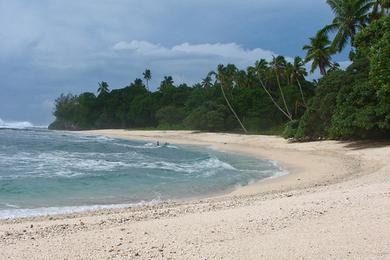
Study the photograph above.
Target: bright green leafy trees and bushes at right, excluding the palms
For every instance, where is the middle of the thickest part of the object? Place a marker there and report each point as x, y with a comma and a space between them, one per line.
354, 103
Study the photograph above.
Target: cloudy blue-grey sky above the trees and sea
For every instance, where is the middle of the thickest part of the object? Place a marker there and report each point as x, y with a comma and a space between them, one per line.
49, 47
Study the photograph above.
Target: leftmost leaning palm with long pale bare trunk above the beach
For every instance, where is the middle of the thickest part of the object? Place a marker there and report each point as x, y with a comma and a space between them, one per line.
223, 75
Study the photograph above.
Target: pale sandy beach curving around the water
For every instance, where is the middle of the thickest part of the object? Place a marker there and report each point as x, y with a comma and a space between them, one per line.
333, 204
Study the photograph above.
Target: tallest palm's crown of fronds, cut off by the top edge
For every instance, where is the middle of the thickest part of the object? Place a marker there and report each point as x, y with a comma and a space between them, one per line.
350, 17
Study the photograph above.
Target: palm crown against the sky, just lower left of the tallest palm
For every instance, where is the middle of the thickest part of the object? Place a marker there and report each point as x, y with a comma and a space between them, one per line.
319, 52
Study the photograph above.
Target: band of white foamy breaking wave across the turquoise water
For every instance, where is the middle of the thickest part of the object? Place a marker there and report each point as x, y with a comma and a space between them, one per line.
65, 164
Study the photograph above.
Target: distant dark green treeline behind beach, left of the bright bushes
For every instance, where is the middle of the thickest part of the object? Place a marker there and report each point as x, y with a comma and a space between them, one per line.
202, 106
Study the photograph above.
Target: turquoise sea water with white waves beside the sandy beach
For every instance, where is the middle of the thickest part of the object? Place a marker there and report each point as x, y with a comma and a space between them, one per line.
48, 172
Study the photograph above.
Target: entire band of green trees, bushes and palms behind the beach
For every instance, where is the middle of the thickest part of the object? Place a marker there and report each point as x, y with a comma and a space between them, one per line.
351, 103
